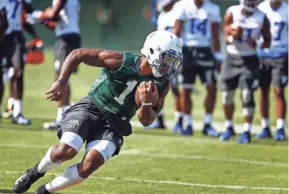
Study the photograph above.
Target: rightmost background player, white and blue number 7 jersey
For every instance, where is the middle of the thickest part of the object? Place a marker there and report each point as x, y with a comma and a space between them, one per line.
274, 67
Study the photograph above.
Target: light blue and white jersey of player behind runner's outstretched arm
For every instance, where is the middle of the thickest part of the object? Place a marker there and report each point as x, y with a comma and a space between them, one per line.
69, 15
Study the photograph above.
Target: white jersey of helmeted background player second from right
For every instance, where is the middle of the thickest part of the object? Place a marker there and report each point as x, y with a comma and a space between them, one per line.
251, 25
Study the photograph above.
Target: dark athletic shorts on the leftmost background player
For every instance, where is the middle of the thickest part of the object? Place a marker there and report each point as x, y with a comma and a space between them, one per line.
12, 50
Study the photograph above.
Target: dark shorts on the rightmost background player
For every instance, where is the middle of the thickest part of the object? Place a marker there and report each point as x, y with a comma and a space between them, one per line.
274, 71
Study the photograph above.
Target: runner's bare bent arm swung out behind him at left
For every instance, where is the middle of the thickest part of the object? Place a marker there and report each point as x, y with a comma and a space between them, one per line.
92, 57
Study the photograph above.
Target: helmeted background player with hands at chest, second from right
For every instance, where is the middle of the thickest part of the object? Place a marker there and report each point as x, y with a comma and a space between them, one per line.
243, 25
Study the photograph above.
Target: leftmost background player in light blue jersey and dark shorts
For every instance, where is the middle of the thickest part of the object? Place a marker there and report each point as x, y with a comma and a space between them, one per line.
13, 49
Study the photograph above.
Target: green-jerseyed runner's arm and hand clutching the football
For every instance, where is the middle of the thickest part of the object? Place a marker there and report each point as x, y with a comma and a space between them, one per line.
147, 114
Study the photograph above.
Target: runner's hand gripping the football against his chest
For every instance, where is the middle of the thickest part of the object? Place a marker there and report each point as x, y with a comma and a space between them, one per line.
147, 92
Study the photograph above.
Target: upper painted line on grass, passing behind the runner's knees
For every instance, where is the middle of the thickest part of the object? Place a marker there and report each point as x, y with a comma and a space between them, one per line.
165, 155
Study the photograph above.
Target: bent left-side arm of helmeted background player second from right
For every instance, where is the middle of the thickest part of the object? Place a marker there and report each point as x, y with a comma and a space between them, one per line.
229, 32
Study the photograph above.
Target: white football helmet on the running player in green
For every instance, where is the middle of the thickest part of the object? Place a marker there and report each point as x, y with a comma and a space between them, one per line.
163, 51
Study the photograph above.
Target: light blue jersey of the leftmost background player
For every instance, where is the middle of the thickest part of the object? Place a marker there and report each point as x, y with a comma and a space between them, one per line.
14, 12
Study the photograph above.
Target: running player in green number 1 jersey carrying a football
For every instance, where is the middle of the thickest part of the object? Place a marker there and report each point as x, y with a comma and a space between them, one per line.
102, 118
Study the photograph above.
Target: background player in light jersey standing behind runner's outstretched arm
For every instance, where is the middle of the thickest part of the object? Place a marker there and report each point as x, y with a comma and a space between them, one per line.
66, 15
